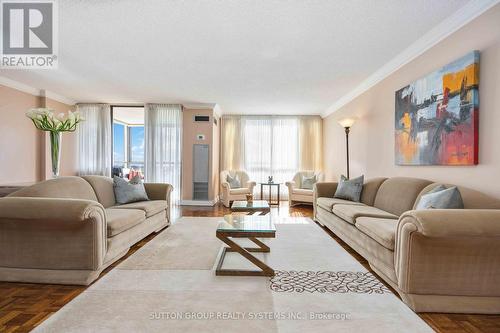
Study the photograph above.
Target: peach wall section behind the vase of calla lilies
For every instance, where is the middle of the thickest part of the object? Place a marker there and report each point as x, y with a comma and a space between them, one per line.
24, 151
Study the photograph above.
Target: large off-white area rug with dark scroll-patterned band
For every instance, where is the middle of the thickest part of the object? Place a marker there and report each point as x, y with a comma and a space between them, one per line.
169, 285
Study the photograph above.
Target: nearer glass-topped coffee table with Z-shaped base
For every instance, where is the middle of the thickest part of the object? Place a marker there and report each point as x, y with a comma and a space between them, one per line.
250, 227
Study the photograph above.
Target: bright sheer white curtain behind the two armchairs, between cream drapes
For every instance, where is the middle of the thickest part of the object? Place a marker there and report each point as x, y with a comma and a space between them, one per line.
270, 148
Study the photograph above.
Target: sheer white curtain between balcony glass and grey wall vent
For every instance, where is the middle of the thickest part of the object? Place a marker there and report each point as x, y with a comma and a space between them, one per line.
163, 135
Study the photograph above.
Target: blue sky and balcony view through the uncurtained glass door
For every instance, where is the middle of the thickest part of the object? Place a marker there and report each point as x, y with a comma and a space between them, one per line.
128, 141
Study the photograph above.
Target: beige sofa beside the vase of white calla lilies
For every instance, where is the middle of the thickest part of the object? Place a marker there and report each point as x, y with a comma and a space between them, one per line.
68, 230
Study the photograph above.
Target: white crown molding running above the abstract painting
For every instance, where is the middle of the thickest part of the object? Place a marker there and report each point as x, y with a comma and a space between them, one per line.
457, 20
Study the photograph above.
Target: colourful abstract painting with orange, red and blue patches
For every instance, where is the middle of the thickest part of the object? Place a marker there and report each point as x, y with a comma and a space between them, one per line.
437, 116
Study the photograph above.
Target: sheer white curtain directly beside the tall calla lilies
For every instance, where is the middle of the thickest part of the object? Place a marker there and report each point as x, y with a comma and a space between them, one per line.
94, 140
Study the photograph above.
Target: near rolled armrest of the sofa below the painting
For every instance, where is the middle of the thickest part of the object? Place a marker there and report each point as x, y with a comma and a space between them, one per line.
448, 252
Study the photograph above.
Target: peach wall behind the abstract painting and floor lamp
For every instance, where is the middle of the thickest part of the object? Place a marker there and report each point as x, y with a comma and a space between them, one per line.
372, 136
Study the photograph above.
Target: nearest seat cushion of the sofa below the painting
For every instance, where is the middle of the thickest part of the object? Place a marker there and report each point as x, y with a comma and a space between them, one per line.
383, 231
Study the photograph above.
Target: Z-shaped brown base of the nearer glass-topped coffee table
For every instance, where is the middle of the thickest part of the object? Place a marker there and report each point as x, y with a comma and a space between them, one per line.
245, 252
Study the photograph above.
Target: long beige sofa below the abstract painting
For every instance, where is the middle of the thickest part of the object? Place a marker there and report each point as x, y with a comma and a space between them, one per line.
437, 260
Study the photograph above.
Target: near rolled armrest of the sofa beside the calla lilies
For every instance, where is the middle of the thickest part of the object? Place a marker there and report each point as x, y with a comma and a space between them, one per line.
49, 233
